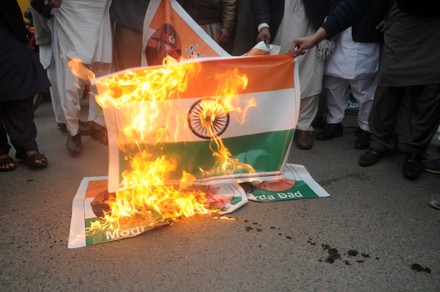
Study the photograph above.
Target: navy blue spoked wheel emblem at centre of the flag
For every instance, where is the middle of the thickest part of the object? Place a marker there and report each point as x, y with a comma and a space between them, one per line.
208, 117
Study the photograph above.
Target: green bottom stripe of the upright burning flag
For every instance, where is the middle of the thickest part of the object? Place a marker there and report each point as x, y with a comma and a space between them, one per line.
265, 152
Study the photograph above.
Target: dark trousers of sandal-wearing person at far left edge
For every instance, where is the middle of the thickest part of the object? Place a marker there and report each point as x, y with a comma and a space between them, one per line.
17, 122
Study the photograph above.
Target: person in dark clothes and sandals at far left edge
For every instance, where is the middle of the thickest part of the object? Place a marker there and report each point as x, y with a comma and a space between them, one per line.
22, 76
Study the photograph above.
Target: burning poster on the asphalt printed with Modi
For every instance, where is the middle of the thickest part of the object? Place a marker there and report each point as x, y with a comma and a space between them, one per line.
89, 228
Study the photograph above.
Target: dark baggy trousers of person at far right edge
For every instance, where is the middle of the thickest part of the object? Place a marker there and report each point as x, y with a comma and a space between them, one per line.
416, 112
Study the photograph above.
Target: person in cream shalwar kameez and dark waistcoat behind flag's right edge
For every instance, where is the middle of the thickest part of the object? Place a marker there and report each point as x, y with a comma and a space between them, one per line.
294, 21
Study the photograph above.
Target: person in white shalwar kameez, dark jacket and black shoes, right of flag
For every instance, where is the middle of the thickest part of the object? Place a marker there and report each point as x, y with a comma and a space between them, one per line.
353, 66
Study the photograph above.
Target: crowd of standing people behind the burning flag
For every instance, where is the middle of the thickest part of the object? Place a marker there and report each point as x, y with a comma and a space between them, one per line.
375, 50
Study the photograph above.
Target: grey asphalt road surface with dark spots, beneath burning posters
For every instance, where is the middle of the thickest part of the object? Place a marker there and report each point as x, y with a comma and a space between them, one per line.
282, 246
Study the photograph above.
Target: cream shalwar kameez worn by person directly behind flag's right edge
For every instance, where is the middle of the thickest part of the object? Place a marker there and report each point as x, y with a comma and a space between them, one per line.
295, 24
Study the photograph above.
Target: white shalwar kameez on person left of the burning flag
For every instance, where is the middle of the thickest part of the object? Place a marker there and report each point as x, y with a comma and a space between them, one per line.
81, 30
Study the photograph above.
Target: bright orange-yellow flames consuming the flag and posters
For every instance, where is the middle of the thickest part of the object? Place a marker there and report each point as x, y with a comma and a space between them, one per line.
146, 195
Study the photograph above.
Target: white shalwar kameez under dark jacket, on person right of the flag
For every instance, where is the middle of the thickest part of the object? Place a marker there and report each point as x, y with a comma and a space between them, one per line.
353, 64
